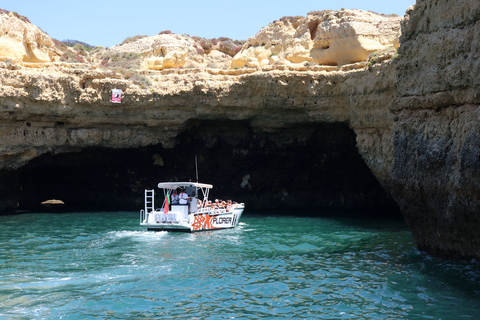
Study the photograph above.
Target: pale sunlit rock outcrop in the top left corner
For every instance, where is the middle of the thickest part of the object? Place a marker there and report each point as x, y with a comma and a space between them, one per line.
23, 41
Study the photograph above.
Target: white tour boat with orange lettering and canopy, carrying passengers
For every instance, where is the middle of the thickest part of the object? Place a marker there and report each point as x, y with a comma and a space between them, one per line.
191, 213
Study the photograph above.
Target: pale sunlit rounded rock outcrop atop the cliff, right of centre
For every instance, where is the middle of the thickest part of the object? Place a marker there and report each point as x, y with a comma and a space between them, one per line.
323, 37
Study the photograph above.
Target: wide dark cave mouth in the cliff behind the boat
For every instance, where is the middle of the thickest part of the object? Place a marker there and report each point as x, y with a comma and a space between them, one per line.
315, 166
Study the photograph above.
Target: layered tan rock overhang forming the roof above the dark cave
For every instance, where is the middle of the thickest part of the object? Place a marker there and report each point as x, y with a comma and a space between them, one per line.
77, 114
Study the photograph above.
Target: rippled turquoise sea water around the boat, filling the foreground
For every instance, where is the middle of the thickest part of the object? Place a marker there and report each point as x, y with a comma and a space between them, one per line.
104, 266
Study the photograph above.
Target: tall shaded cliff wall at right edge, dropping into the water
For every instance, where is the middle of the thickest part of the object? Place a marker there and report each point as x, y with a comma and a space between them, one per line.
437, 136
